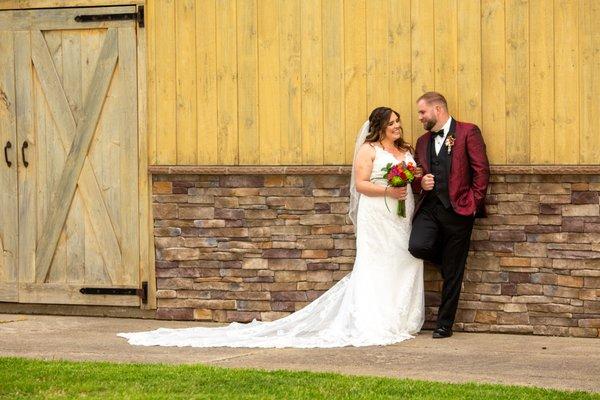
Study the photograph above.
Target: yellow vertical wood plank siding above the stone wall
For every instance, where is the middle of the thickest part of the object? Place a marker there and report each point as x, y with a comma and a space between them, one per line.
281, 82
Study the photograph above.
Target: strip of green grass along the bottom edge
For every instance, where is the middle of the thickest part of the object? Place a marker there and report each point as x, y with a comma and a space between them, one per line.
34, 379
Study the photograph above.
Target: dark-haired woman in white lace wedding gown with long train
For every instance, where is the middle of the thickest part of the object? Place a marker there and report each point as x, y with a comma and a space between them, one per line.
379, 303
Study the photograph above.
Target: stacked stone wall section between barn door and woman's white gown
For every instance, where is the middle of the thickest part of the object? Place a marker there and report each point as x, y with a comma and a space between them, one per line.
236, 248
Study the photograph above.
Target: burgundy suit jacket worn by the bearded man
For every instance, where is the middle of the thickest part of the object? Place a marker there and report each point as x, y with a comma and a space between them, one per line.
469, 169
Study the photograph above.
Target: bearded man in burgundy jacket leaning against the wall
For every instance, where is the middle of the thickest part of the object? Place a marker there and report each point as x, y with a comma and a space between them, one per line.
456, 174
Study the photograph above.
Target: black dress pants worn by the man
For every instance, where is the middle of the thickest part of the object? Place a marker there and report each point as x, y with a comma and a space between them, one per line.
443, 237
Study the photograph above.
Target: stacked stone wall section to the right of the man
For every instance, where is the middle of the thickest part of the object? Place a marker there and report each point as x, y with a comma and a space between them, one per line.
535, 261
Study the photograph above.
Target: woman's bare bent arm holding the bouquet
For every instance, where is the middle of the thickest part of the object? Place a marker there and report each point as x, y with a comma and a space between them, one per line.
362, 174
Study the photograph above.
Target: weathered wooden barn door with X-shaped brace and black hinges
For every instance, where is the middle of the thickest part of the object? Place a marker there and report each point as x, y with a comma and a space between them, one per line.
77, 142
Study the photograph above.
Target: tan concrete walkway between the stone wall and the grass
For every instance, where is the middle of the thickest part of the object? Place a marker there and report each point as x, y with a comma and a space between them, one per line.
552, 362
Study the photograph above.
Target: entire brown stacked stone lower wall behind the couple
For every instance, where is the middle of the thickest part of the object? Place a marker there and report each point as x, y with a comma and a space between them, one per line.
233, 244
